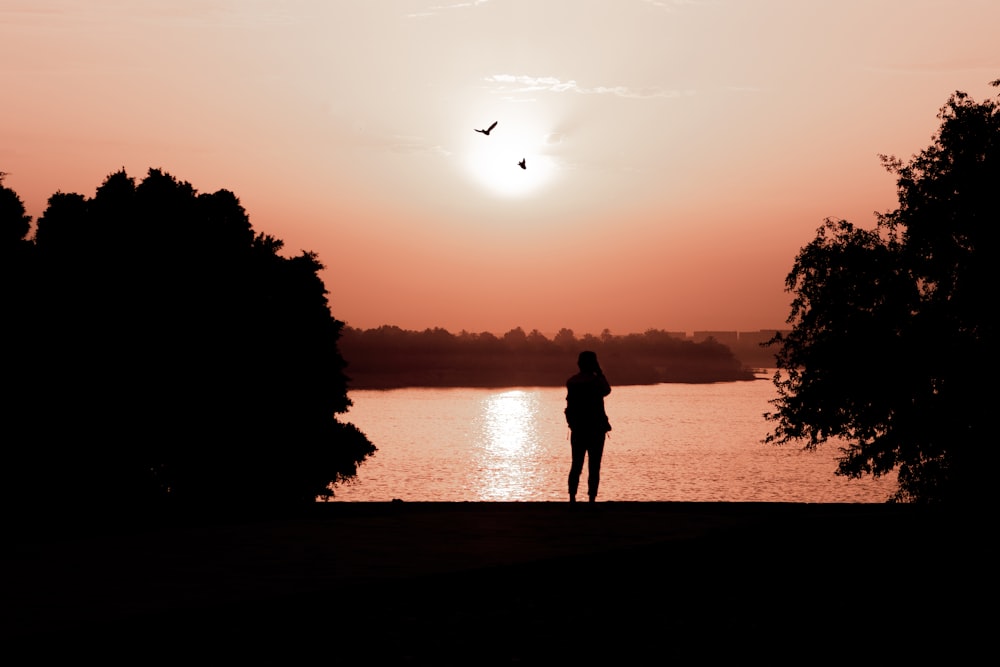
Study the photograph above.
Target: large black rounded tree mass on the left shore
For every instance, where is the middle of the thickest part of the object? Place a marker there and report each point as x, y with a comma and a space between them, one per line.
160, 352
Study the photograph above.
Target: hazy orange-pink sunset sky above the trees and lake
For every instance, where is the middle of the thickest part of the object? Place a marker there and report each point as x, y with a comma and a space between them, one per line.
679, 153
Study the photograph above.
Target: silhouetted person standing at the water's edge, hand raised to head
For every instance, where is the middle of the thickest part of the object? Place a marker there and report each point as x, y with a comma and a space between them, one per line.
588, 422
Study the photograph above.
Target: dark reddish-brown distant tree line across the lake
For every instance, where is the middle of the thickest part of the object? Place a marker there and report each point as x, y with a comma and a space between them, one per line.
388, 357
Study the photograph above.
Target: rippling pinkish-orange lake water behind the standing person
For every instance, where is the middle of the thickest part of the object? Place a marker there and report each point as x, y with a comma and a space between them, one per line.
670, 442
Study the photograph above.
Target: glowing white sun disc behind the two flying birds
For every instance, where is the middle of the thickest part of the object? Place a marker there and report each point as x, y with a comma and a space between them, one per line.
493, 160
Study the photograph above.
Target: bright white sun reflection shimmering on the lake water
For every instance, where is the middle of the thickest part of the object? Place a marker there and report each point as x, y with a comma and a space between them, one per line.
508, 446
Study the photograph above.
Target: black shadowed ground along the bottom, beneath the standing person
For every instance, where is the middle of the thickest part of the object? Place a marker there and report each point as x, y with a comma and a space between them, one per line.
503, 583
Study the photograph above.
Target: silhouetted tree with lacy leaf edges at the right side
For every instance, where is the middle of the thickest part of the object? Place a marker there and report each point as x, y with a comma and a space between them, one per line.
893, 337
